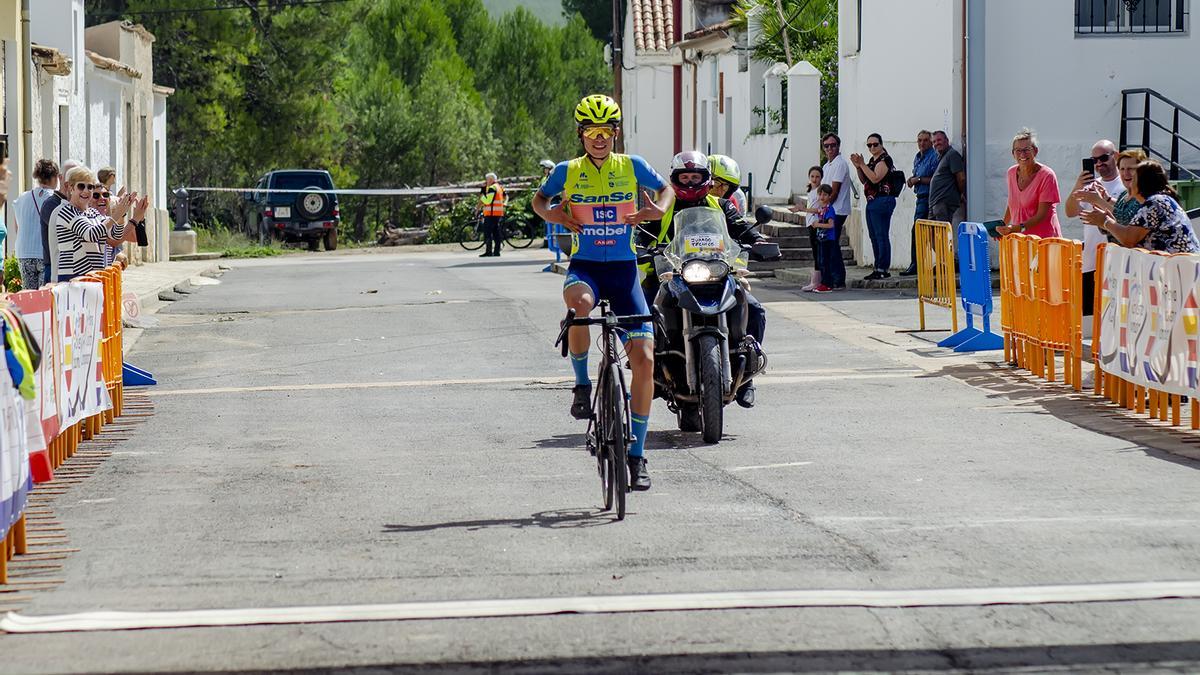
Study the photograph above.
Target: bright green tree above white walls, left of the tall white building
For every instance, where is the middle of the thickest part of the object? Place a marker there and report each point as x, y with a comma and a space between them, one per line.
807, 31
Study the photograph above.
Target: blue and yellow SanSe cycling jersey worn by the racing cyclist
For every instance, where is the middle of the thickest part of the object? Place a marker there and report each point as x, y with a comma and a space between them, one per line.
601, 199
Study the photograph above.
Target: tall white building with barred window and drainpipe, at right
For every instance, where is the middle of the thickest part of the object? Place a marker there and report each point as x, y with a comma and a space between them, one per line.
985, 70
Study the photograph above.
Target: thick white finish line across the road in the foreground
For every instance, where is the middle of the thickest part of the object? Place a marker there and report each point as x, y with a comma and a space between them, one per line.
93, 622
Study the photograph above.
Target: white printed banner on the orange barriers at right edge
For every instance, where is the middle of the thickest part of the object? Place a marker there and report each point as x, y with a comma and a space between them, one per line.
1149, 319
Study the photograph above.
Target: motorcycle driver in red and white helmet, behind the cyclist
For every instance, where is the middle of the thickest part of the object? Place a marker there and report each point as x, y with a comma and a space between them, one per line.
694, 183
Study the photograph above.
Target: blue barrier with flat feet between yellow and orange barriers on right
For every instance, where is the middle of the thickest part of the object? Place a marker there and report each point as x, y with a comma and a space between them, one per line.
975, 280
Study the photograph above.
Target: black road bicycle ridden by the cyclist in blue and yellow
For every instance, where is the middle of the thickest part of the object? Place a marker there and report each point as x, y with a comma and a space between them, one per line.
609, 428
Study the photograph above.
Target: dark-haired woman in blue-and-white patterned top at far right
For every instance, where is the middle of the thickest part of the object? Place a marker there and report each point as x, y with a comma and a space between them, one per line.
1161, 224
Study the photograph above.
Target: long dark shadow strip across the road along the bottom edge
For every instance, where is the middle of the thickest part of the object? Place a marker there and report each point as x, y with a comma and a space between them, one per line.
1063, 659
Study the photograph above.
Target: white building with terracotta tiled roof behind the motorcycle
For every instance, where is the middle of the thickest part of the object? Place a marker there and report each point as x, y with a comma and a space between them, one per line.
691, 83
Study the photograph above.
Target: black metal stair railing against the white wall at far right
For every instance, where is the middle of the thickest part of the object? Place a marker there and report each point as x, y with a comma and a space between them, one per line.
1153, 129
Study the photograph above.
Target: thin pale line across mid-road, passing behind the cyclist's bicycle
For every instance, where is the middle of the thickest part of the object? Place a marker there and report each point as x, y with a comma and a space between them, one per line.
771, 378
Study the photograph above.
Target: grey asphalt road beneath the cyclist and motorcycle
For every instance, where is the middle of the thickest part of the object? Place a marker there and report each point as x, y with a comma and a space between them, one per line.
339, 431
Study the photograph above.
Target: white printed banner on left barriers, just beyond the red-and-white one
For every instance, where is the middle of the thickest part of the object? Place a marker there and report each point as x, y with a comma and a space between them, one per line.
79, 308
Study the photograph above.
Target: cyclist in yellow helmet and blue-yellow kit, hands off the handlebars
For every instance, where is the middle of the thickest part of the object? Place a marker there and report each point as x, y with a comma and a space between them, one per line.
601, 192
